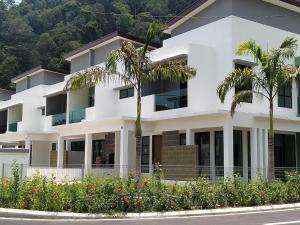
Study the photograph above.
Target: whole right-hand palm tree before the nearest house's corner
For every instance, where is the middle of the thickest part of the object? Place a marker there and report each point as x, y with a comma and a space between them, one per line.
269, 75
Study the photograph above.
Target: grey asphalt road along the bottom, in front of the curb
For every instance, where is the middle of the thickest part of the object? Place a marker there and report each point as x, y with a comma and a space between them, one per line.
279, 217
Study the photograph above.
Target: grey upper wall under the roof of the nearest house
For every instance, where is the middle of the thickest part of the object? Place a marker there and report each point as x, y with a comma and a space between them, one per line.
254, 10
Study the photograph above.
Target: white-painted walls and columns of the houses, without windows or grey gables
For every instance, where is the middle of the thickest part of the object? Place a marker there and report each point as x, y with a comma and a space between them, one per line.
211, 50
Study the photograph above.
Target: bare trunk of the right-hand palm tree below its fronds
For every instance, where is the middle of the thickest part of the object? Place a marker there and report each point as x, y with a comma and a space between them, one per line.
271, 162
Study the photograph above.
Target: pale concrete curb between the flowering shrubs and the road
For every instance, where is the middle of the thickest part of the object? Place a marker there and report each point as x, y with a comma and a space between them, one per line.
32, 214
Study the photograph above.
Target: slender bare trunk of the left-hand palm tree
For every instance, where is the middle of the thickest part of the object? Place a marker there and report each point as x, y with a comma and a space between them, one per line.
138, 131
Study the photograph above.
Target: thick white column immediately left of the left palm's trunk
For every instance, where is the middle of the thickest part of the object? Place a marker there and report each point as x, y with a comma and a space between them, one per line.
124, 152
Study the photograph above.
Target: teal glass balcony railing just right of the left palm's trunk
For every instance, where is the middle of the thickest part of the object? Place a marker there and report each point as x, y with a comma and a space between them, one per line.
171, 100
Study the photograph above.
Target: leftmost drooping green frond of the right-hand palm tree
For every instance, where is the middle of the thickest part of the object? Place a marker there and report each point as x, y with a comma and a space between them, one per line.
237, 78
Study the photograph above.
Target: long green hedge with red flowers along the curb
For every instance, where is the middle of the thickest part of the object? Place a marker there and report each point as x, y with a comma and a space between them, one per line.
94, 195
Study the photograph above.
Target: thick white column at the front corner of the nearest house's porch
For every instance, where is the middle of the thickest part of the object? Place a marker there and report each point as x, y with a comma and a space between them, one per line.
228, 148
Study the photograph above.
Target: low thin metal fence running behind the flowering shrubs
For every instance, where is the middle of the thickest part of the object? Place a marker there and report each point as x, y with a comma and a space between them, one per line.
177, 173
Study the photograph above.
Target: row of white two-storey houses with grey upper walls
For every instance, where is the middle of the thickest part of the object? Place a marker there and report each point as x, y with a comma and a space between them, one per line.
185, 126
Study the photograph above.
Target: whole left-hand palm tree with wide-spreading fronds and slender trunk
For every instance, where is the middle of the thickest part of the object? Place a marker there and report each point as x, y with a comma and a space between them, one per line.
136, 68
